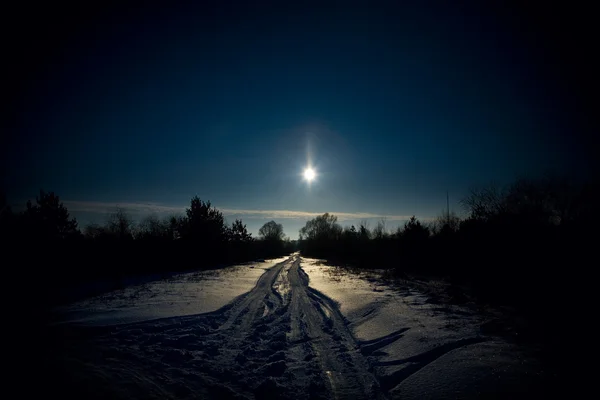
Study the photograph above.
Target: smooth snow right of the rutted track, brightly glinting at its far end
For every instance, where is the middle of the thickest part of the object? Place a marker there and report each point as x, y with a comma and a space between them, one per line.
419, 349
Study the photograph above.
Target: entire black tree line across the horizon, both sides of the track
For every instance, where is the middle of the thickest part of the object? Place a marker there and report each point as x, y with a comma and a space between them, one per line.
514, 245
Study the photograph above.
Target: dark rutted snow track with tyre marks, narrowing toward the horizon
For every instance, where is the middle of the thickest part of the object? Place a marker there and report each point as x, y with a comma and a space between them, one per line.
283, 339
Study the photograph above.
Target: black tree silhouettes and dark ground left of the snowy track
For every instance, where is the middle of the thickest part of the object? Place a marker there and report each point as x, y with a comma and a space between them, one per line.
46, 243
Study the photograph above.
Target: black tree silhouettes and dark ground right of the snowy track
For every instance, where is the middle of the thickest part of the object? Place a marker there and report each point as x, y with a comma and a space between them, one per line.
514, 246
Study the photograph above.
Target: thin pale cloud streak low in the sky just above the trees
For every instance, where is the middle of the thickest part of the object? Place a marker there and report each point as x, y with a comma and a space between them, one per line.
153, 208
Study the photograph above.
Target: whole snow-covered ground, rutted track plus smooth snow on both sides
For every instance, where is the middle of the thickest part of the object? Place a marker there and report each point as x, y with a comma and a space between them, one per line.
287, 328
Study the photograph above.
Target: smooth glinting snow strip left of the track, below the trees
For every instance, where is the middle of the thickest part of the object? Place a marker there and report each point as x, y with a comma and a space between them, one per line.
183, 294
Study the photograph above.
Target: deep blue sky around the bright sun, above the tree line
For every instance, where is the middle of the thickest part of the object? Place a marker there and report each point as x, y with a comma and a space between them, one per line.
393, 105
